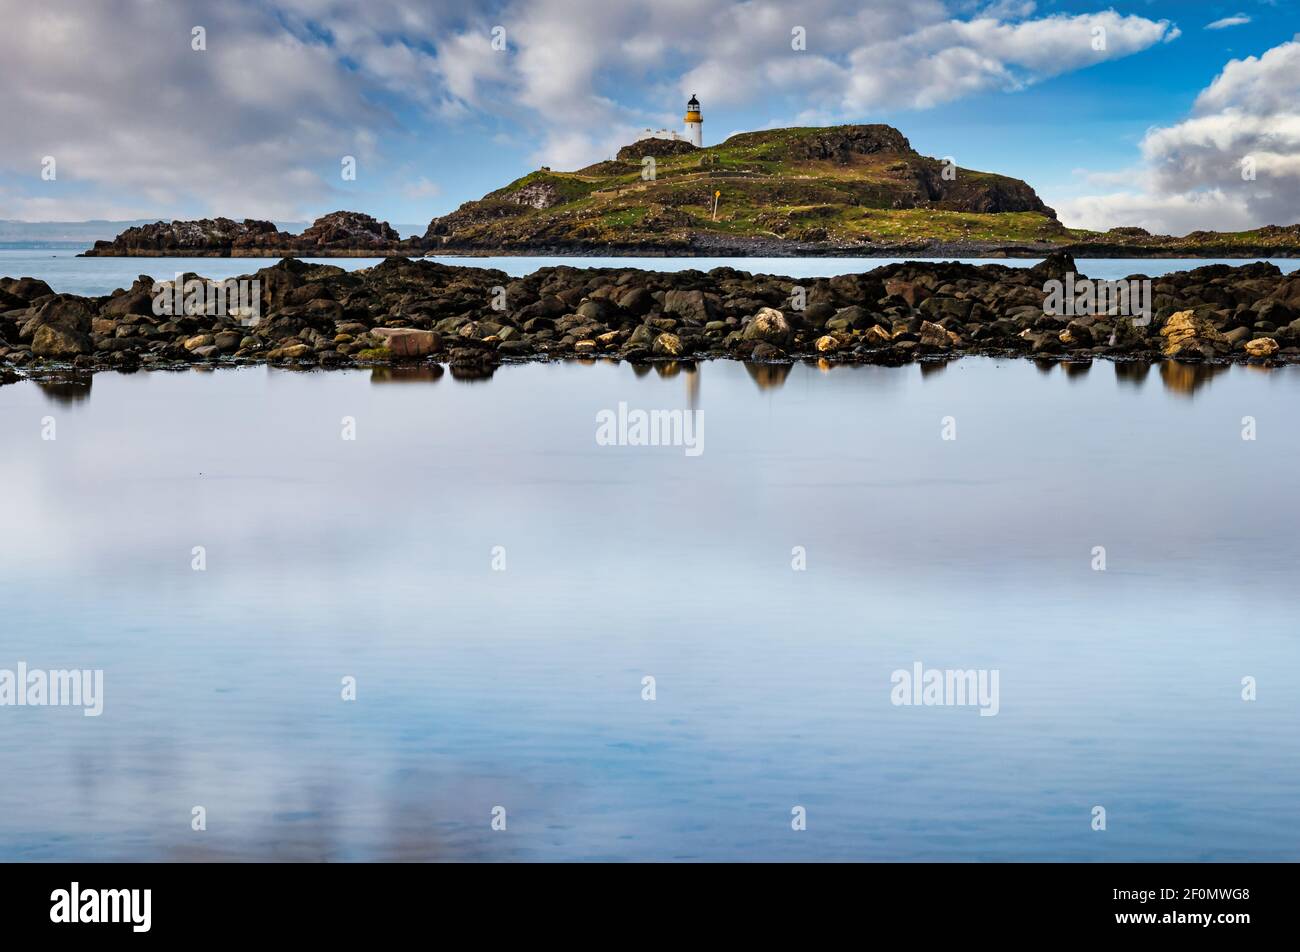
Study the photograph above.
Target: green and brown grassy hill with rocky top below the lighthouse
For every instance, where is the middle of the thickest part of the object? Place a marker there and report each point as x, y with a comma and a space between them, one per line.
857, 185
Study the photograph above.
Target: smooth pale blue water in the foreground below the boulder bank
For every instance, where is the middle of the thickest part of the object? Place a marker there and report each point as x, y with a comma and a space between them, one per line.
523, 689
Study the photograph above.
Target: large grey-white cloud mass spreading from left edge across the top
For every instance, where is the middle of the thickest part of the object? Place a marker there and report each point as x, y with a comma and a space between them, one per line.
257, 124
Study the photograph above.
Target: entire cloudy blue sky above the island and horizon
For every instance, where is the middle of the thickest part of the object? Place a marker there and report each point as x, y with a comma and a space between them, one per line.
1165, 115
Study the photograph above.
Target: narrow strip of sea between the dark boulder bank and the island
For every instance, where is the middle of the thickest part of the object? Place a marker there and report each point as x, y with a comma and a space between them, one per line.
93, 276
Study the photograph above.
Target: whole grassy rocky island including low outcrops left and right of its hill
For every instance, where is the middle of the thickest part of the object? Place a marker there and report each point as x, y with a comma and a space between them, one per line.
853, 191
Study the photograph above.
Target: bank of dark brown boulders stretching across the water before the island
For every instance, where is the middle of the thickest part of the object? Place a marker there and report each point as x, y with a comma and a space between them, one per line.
408, 311
